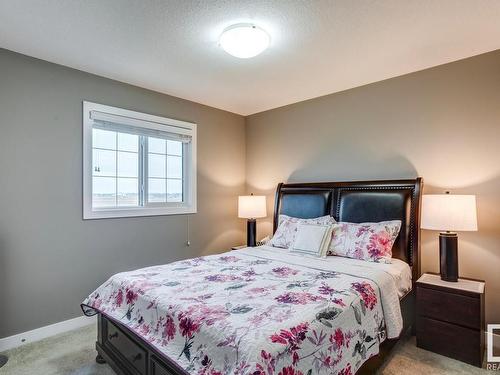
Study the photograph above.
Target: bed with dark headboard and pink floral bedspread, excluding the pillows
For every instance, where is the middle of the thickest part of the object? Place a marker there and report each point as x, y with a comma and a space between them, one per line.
266, 311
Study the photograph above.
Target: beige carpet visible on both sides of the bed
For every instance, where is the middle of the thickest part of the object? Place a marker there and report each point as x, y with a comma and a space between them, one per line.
73, 353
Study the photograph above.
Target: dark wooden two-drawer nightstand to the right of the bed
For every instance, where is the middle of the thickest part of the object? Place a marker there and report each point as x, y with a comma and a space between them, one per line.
450, 318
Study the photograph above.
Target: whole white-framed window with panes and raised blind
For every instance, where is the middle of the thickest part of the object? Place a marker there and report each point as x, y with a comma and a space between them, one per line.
136, 164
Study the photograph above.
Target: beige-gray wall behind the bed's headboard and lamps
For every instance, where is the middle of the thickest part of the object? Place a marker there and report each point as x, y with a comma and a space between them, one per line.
442, 124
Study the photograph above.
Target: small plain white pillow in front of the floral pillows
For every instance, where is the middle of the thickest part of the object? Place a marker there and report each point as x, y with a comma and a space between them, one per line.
312, 239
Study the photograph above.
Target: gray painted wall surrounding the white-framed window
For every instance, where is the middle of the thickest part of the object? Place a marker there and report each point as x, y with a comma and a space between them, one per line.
50, 259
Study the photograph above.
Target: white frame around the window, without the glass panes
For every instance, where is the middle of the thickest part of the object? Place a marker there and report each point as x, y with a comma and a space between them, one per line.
188, 206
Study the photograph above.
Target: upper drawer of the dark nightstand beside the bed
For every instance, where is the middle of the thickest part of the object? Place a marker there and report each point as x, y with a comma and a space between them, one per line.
449, 307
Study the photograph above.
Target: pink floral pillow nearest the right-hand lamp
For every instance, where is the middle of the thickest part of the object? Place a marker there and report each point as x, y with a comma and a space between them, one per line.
367, 241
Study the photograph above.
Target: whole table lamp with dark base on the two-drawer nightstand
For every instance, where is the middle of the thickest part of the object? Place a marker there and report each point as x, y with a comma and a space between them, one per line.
449, 213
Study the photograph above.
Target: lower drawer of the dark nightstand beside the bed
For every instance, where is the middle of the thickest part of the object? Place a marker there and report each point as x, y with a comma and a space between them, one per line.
450, 340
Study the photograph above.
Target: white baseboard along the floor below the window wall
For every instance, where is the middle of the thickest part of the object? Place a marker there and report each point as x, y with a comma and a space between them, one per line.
44, 332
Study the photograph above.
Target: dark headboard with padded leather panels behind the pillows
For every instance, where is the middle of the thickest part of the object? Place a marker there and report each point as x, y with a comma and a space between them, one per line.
358, 202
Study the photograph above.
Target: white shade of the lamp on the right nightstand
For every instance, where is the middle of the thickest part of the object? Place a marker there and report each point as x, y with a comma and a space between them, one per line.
449, 212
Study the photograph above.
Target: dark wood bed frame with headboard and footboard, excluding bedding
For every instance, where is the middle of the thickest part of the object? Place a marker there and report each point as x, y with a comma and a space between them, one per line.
360, 201
